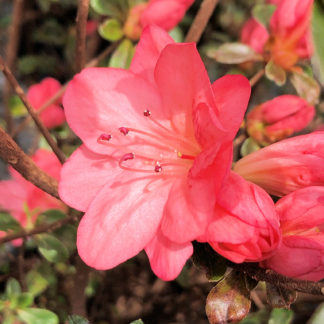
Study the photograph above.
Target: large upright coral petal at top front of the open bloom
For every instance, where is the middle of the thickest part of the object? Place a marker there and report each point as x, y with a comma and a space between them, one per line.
187, 93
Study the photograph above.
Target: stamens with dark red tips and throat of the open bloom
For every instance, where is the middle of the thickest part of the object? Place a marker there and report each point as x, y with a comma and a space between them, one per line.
159, 150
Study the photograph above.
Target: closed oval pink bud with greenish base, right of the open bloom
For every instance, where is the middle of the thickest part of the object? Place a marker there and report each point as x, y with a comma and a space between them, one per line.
278, 118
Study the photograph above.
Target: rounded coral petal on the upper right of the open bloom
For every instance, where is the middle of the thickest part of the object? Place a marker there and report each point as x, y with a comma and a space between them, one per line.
232, 94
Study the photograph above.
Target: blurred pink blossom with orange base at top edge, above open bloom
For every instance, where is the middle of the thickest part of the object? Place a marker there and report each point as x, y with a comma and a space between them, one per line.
163, 13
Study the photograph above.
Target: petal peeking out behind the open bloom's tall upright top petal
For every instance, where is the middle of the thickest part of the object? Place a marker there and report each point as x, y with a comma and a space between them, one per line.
148, 50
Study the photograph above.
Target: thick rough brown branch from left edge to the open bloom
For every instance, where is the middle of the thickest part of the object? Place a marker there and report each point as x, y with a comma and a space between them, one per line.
11, 153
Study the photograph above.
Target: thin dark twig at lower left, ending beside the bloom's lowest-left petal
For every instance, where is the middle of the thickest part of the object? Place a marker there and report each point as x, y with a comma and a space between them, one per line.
45, 228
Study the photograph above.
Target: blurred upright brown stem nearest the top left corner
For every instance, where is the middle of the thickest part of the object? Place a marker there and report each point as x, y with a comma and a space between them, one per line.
11, 54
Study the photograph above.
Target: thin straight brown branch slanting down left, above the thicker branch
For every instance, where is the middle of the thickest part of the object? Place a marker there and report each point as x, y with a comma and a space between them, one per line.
20, 92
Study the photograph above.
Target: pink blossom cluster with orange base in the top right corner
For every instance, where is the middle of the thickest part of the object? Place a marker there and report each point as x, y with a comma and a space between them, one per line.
289, 35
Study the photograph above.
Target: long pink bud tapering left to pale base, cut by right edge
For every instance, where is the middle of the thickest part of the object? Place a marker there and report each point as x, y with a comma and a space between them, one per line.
287, 165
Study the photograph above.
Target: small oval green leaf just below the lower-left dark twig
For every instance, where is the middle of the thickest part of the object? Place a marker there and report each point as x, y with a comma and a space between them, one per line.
51, 248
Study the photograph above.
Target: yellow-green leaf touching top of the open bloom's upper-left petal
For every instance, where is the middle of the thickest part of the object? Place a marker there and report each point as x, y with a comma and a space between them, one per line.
122, 56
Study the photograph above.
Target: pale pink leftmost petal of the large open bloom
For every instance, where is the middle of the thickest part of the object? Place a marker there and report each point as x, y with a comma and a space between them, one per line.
84, 174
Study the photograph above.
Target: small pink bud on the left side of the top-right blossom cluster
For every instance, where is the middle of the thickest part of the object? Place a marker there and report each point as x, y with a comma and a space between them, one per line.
255, 35
